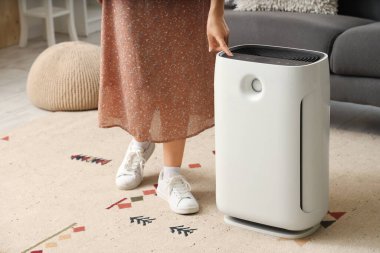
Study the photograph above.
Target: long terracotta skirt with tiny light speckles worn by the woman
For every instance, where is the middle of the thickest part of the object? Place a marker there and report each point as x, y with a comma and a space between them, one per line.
157, 76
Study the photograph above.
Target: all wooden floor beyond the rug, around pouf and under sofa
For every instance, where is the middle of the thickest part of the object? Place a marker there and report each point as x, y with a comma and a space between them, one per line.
15, 108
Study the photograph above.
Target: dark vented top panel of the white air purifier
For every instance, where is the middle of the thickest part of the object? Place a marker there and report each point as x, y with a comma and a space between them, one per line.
273, 55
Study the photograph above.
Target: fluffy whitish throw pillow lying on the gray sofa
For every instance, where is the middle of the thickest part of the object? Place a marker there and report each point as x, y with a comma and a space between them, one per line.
310, 6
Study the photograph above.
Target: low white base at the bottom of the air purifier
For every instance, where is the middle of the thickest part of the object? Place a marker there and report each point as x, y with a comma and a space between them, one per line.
278, 232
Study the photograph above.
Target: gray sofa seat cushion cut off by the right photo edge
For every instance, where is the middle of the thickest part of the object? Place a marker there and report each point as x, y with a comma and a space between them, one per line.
357, 52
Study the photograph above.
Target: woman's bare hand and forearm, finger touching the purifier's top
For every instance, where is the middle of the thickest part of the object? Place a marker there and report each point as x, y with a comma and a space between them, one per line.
217, 29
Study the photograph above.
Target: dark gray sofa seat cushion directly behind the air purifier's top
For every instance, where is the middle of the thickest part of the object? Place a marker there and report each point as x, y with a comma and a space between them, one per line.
300, 30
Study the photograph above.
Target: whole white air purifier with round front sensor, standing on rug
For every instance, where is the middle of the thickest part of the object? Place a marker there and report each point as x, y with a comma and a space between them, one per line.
272, 117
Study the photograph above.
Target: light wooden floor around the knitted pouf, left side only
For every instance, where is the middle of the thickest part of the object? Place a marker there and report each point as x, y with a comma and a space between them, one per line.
15, 62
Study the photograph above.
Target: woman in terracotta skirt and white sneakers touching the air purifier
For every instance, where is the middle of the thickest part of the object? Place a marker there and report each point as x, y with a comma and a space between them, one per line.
157, 83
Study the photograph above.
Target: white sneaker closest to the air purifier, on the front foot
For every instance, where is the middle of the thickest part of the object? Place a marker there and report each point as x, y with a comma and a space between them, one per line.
176, 190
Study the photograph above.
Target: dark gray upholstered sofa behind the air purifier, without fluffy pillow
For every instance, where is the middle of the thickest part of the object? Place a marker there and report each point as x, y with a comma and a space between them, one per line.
351, 39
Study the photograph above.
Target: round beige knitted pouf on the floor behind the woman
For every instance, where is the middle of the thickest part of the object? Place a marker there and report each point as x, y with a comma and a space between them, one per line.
65, 77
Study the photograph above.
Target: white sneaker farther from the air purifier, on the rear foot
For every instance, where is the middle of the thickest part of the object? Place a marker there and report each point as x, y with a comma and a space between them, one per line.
131, 171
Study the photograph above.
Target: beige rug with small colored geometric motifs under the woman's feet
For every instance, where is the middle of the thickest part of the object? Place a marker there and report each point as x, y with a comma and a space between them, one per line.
52, 200
